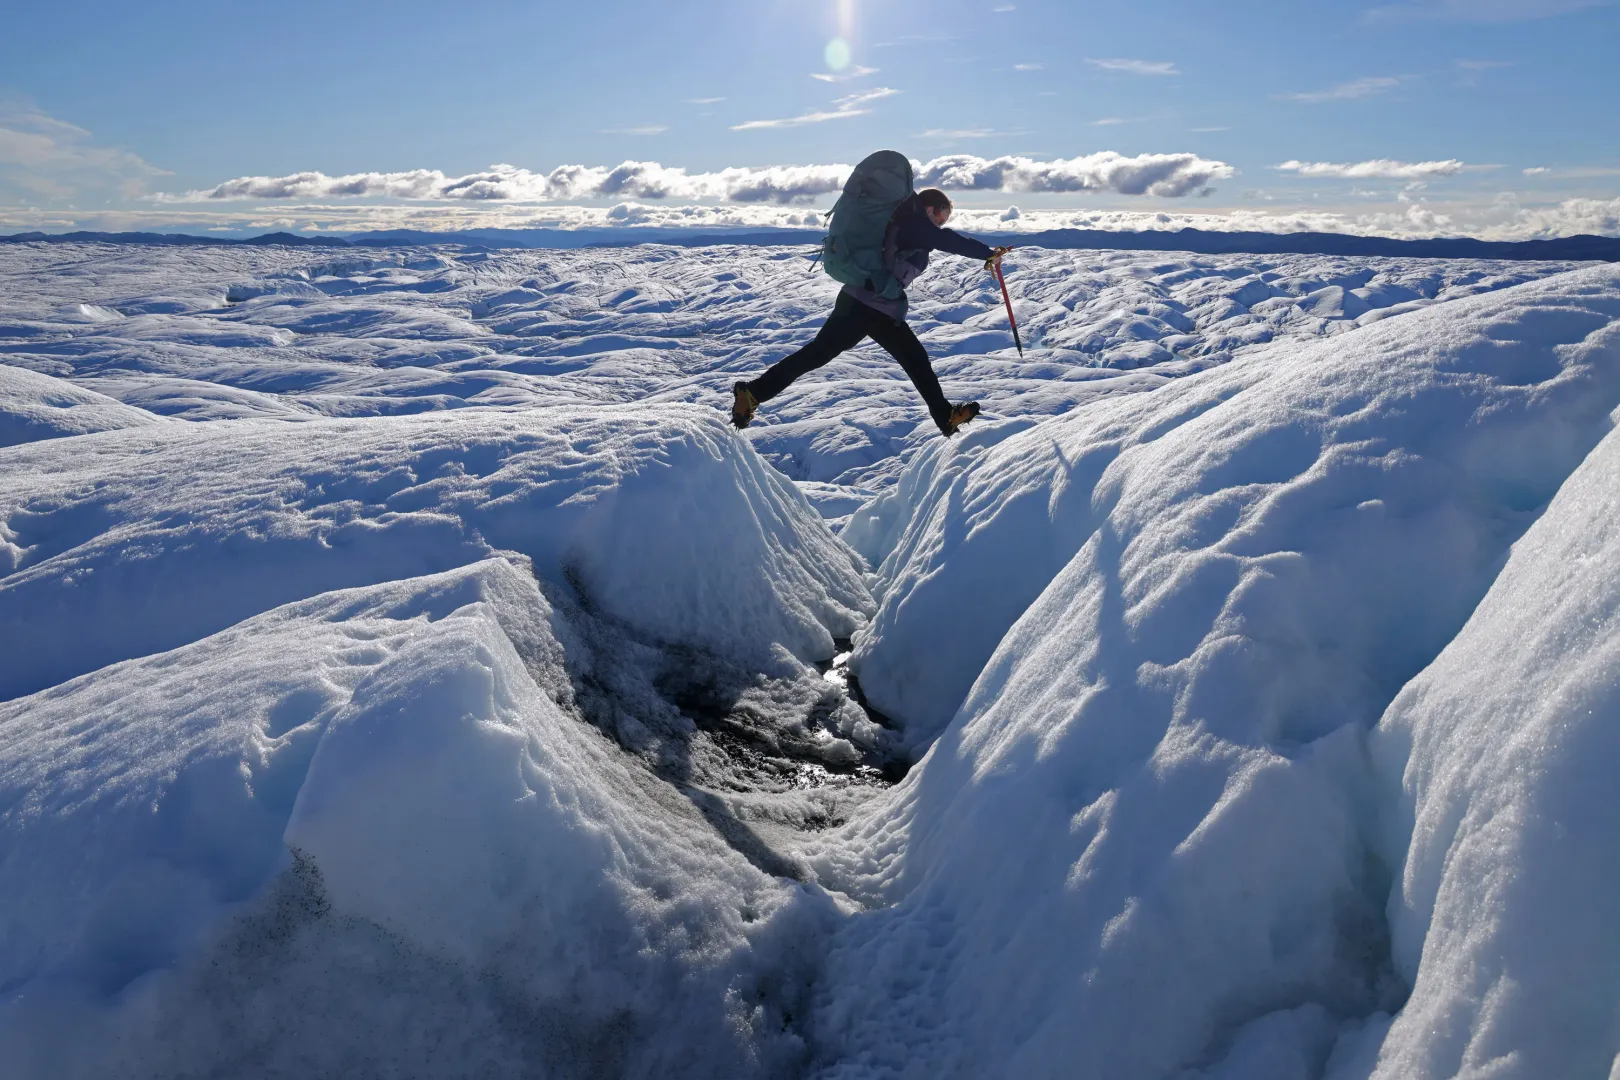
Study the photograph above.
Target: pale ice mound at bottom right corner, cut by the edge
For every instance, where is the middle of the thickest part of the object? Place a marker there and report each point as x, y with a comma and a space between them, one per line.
1504, 917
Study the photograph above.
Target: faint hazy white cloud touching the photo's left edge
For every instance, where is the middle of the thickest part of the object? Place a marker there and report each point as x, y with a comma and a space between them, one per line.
53, 159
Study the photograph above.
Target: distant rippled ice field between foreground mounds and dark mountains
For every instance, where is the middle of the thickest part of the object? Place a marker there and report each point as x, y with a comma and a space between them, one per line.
229, 333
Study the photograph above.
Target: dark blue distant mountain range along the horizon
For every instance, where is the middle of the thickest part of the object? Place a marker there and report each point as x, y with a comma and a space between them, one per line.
1195, 240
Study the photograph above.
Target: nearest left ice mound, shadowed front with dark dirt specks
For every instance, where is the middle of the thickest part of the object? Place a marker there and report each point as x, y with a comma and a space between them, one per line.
367, 815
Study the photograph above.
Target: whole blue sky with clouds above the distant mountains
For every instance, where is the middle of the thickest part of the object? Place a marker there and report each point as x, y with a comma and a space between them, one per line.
1399, 117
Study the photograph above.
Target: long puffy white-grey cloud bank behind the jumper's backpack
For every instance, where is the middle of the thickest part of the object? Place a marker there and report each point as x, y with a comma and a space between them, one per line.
1169, 176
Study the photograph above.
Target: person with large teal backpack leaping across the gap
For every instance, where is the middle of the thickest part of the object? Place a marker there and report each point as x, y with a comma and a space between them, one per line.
877, 257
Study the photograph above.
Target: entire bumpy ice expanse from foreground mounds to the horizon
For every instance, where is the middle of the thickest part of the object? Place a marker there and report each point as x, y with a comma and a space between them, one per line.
409, 673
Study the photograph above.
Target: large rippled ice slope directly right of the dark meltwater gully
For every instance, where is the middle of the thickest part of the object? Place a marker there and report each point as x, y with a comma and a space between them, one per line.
1149, 838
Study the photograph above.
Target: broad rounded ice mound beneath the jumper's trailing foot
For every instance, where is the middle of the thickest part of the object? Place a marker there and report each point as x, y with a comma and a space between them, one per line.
129, 543
